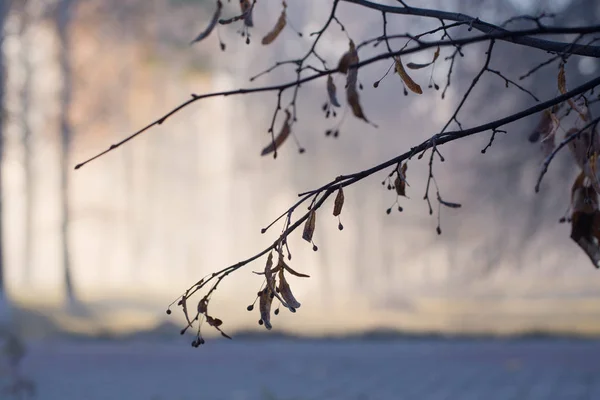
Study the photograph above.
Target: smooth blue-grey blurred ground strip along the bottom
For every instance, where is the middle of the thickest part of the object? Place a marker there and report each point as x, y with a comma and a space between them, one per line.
285, 369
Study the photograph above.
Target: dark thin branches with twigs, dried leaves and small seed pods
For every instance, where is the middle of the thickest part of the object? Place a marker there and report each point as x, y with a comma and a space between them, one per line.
450, 34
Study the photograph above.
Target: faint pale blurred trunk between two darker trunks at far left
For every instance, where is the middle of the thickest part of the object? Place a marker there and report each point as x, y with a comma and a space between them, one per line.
25, 98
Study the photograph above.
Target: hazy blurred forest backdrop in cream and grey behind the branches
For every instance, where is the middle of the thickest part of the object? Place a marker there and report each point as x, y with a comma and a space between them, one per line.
109, 246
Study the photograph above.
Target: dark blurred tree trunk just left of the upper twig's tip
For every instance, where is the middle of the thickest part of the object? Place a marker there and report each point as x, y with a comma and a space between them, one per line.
63, 24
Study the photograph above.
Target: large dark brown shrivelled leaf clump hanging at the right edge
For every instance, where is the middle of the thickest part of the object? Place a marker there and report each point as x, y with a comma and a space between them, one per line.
585, 218
